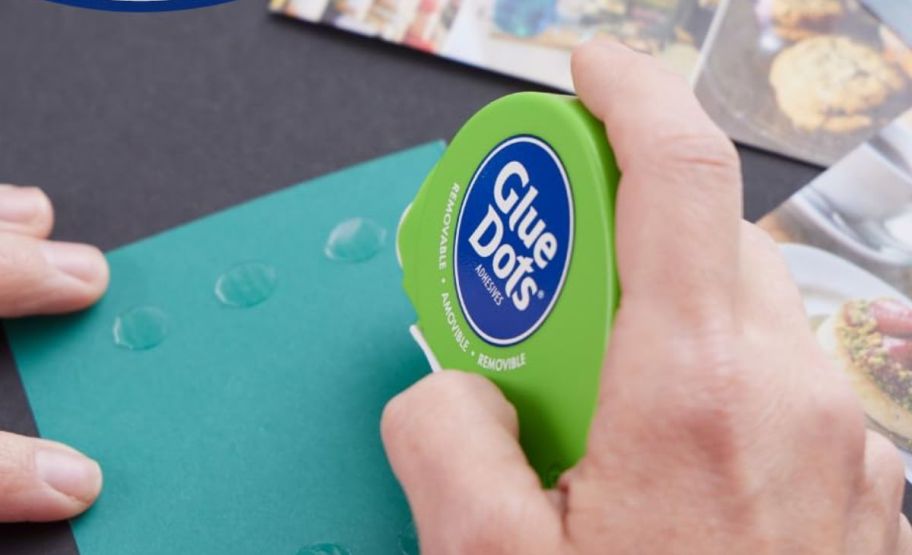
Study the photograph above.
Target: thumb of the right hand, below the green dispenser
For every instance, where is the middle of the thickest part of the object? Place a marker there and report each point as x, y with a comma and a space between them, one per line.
452, 442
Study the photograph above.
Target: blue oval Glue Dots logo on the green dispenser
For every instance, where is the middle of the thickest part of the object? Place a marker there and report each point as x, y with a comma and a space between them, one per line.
514, 237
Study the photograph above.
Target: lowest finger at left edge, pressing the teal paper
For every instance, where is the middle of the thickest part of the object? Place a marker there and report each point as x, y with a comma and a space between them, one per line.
43, 480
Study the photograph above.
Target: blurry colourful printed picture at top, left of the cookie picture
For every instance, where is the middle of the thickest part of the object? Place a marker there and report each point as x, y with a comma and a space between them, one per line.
529, 39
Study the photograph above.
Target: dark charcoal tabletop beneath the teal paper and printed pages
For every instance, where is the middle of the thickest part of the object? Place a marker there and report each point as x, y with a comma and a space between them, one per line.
134, 123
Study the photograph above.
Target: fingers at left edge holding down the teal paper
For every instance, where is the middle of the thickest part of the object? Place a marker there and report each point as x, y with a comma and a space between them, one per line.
43, 480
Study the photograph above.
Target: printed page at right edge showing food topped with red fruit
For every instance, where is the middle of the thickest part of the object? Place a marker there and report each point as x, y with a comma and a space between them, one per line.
847, 240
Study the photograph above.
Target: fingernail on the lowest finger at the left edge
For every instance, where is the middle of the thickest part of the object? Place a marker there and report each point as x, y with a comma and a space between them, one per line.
71, 474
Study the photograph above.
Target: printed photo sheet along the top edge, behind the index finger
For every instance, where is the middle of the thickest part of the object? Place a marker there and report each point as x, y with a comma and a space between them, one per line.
810, 80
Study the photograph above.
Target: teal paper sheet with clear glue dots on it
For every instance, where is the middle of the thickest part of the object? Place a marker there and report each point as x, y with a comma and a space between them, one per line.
246, 430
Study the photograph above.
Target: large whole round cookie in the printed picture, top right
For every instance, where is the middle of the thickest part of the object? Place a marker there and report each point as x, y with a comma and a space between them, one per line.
832, 83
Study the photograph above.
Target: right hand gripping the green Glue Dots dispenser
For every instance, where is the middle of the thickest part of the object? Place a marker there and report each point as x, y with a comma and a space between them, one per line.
721, 425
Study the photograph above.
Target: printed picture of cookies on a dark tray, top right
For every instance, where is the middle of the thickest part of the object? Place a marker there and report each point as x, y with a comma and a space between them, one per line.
810, 80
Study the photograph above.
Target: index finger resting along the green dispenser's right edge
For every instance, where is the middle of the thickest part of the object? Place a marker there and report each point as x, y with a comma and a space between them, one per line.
679, 202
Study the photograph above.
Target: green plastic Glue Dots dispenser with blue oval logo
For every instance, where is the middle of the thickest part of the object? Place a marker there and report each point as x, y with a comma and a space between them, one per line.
508, 257
